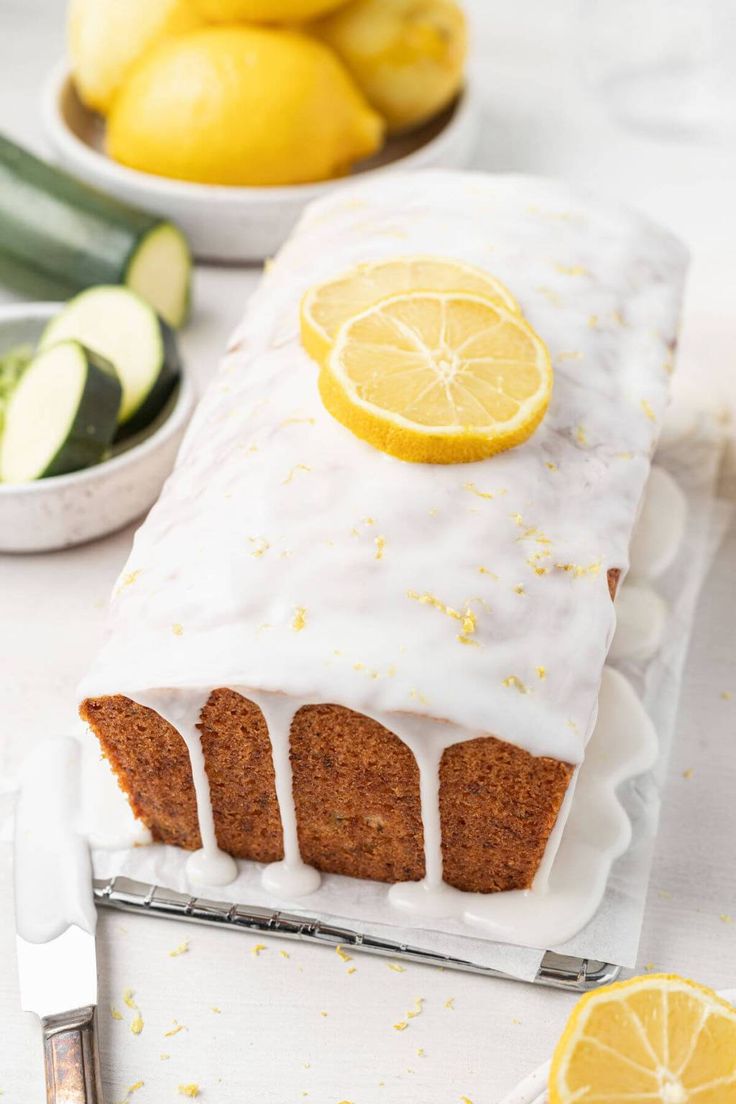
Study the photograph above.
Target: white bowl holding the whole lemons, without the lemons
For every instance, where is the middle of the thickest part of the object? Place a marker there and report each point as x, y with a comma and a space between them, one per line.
230, 224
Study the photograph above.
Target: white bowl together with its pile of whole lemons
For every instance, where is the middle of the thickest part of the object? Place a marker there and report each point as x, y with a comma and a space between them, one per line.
228, 116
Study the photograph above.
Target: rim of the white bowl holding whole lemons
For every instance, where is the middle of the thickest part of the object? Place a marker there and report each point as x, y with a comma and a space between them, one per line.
83, 156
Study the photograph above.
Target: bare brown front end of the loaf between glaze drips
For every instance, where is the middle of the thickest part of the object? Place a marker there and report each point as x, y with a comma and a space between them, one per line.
356, 790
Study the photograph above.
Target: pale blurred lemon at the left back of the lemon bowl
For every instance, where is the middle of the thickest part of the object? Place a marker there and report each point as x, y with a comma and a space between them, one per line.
105, 40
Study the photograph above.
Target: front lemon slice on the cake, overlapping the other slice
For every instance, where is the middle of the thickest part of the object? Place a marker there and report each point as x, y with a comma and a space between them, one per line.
438, 377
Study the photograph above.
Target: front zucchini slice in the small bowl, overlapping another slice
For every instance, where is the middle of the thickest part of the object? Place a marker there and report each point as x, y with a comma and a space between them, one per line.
62, 415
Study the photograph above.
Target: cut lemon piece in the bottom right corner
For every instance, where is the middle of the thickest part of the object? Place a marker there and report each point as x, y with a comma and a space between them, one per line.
657, 1038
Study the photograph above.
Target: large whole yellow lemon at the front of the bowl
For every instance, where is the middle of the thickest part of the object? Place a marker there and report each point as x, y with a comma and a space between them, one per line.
242, 105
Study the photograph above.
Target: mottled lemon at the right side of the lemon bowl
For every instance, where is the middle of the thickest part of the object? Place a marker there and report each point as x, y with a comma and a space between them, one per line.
407, 56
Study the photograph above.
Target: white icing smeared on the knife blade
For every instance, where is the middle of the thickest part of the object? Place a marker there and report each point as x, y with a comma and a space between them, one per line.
52, 868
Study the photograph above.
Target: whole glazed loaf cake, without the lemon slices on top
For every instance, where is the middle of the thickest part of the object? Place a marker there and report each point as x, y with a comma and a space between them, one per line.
327, 660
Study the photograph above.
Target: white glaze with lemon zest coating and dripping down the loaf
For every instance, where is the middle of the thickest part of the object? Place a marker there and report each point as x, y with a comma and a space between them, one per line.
261, 567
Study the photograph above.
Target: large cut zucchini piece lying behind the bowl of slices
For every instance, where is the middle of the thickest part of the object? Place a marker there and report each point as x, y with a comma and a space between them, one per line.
66, 236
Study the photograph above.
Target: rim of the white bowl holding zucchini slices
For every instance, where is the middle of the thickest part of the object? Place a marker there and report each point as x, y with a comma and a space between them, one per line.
176, 421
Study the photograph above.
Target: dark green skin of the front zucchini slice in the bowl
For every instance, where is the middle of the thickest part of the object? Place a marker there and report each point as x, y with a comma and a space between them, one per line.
93, 429
